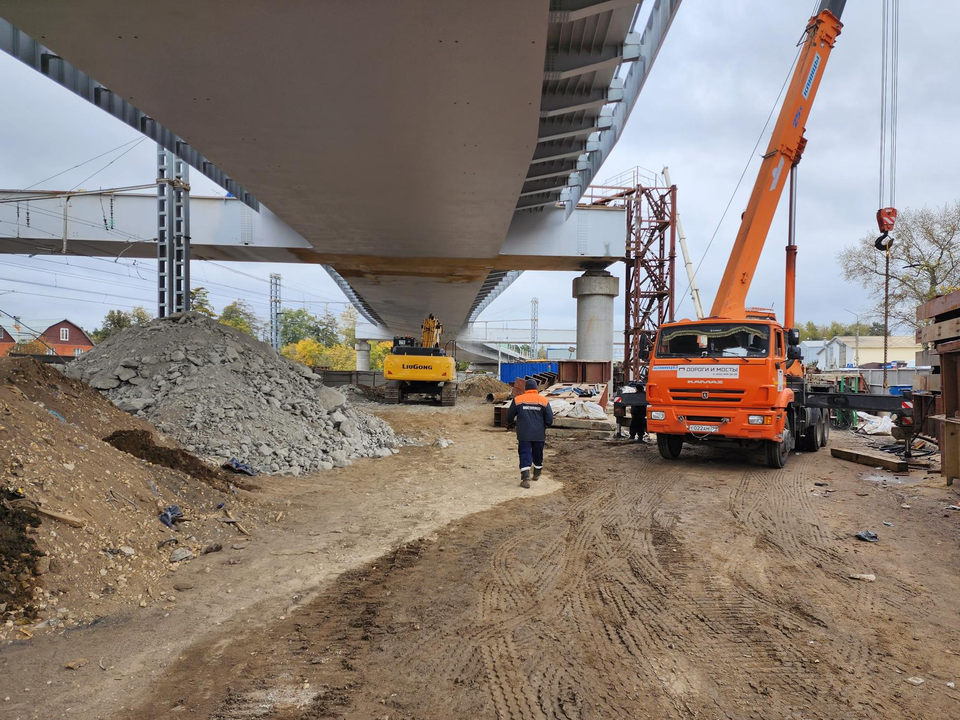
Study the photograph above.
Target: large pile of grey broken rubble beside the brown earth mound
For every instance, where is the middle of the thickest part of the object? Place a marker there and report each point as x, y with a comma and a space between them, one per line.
222, 394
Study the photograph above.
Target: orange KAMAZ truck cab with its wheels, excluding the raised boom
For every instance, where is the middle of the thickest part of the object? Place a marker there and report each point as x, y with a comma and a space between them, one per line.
738, 382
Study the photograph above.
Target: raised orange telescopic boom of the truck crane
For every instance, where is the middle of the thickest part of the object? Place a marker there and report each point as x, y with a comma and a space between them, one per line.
785, 148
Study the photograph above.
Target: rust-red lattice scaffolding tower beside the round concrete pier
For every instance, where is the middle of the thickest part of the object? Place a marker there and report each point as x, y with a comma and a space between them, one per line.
649, 256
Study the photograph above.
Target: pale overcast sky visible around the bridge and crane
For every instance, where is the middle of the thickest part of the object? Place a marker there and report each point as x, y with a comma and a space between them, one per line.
701, 112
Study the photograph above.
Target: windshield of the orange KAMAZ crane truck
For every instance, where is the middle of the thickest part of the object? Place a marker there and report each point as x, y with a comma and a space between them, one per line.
714, 340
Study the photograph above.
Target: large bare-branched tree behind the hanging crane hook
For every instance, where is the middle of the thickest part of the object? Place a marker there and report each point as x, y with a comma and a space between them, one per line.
924, 262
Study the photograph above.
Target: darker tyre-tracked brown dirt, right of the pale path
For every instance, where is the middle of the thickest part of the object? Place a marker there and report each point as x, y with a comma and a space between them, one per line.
710, 588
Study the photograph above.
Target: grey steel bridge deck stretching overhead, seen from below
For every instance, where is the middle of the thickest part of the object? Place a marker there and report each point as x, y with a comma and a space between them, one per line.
396, 139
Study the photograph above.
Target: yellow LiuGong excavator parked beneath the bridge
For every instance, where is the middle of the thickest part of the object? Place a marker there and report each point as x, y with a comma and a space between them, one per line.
416, 369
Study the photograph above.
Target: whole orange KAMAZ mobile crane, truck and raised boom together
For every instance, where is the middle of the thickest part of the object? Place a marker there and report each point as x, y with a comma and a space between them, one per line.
737, 375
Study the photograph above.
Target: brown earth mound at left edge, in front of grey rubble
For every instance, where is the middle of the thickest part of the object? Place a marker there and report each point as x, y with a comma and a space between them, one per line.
50, 431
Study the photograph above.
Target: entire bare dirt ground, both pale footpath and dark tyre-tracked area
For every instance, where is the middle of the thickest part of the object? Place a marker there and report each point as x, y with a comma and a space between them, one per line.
709, 588
